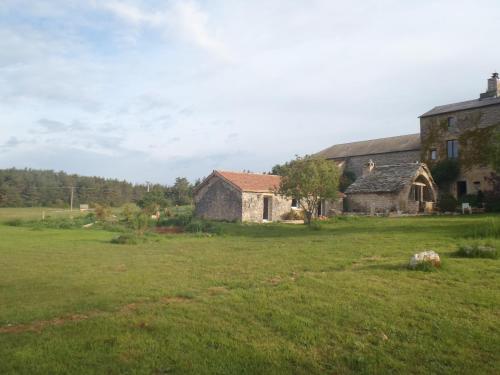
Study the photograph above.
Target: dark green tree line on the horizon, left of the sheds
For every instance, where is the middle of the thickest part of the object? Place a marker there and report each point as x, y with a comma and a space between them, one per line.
47, 188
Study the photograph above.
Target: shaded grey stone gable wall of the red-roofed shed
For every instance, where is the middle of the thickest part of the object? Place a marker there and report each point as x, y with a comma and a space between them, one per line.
218, 200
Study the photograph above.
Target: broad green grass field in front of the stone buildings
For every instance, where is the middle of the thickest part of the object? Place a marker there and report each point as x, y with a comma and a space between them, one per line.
258, 299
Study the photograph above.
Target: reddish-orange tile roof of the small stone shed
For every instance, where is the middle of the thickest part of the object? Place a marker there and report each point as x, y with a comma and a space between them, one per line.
253, 182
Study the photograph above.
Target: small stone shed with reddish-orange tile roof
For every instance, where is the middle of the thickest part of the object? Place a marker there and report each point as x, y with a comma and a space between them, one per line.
240, 196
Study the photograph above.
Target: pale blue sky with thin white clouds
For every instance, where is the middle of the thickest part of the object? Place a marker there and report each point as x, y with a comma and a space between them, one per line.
149, 90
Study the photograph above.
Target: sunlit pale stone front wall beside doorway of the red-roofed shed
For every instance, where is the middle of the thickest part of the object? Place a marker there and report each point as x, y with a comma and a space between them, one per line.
253, 206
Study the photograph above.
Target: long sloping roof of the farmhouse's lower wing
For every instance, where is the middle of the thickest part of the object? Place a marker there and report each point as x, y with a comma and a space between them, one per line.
409, 142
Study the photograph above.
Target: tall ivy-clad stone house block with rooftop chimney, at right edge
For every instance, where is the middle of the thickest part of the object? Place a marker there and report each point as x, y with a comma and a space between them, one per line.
471, 125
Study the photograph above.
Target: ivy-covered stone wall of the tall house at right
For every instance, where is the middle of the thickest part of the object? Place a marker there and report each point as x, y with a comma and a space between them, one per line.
472, 129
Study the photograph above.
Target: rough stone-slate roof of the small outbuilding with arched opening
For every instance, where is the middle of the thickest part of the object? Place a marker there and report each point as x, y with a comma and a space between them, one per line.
385, 179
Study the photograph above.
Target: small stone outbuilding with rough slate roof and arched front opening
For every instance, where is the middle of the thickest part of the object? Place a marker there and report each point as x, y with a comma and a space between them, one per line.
405, 188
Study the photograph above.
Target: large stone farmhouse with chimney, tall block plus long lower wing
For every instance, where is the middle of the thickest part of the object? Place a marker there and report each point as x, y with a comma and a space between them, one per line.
458, 131
